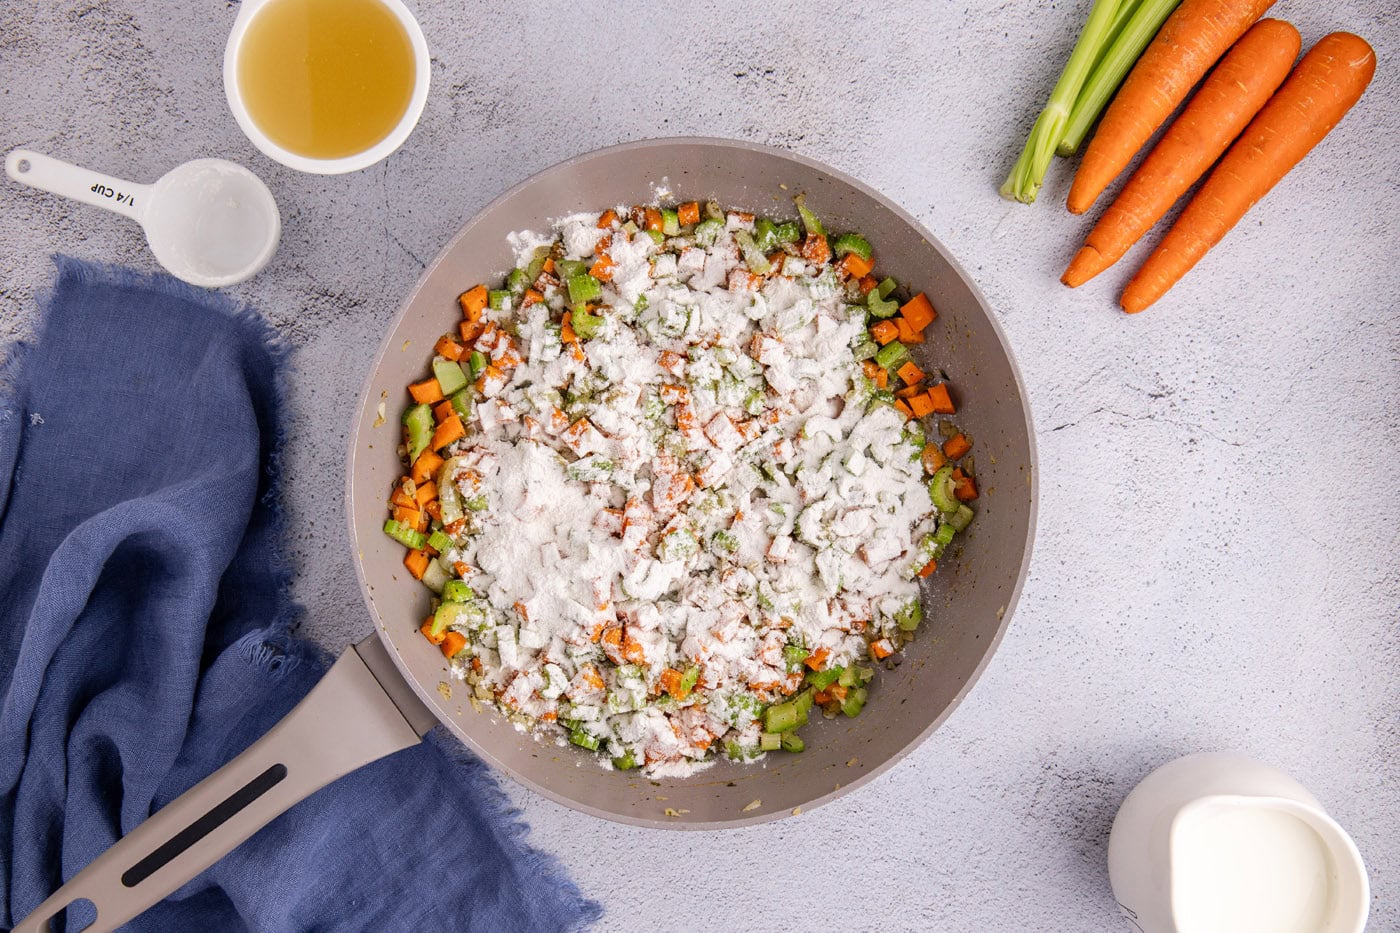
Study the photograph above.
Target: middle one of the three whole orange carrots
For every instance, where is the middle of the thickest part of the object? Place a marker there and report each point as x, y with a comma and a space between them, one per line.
1223, 107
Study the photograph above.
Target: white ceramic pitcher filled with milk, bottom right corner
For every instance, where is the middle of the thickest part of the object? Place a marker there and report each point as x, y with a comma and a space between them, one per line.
1219, 843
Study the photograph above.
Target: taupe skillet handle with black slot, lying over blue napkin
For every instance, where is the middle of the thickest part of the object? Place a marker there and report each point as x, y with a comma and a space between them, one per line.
346, 722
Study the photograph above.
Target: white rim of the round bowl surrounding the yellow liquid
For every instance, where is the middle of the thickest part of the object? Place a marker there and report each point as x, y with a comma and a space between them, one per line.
327, 166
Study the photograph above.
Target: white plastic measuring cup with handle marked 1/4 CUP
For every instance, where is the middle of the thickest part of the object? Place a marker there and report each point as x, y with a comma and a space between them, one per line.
209, 222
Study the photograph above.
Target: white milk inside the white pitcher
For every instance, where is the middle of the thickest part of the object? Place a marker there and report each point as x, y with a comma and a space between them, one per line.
1249, 869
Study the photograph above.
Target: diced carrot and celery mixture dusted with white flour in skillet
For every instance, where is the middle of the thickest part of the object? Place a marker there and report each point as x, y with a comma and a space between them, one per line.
675, 483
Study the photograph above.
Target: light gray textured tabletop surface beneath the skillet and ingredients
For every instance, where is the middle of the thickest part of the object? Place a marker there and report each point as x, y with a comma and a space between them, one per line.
1219, 532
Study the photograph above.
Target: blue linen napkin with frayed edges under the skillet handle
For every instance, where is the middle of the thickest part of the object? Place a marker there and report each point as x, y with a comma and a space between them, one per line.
145, 640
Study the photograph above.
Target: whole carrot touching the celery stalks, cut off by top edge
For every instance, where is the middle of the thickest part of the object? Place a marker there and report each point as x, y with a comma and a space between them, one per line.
1192, 40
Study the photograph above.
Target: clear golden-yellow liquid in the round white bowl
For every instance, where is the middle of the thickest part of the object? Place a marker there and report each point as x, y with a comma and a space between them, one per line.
325, 79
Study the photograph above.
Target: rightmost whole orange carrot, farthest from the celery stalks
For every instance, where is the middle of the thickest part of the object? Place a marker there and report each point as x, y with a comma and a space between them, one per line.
1317, 96
